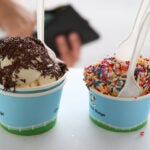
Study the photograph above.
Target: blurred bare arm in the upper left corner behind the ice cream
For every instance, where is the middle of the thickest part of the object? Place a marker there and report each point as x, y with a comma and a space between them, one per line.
16, 19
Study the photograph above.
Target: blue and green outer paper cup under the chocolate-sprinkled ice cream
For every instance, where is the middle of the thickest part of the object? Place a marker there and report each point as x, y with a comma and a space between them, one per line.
29, 114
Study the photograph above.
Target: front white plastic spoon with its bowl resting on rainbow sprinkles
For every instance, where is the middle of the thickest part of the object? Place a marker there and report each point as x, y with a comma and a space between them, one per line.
131, 87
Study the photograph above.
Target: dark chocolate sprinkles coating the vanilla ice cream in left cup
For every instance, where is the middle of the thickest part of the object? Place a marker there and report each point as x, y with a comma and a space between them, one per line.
26, 53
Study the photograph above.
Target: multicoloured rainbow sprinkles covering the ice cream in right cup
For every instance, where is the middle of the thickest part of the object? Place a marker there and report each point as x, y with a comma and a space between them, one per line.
109, 75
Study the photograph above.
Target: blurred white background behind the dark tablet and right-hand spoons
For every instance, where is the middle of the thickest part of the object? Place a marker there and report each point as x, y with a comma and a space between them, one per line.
113, 19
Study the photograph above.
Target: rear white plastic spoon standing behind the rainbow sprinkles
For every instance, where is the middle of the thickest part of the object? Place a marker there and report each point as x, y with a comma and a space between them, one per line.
125, 49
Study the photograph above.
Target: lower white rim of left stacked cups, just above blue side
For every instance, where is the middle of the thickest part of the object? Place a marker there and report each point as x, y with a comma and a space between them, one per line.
33, 94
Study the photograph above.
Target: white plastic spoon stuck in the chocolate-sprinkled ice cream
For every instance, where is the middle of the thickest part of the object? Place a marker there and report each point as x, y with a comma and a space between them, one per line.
40, 27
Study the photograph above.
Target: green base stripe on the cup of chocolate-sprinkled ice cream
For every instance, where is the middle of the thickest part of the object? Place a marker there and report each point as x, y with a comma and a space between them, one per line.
29, 132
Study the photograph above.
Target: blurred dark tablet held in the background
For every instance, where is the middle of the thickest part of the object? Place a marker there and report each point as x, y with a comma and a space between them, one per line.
63, 20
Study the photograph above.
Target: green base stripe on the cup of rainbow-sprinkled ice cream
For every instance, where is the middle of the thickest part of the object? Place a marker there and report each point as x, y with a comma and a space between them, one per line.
107, 127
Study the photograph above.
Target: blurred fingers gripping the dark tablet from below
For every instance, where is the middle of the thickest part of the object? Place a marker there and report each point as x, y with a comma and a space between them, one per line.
69, 53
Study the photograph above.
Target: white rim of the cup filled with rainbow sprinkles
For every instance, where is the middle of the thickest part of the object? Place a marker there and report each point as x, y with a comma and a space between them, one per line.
119, 98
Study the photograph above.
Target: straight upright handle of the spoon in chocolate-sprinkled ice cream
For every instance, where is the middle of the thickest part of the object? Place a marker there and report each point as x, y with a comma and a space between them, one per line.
40, 20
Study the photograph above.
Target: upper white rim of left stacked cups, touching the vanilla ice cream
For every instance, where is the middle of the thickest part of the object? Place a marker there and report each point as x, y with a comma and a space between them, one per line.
45, 86
